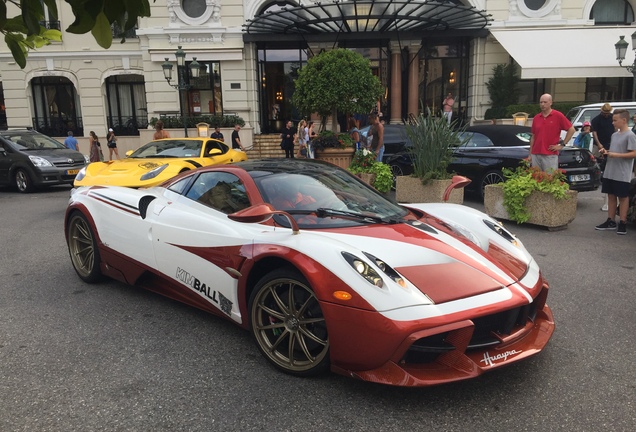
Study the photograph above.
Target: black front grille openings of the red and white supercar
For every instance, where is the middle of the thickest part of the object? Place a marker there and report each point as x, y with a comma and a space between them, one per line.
485, 332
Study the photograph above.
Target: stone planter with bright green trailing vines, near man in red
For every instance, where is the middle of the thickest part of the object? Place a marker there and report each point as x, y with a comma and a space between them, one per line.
533, 196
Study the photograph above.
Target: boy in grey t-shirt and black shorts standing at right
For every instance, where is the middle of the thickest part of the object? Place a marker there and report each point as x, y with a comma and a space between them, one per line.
618, 172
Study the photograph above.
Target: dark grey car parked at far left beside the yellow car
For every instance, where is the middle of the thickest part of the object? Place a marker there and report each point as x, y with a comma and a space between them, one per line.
29, 159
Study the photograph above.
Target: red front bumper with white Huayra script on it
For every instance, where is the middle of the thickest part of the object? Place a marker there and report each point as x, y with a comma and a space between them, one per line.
406, 354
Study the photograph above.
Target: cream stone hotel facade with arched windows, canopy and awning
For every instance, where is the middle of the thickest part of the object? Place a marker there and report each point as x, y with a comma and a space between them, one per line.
249, 52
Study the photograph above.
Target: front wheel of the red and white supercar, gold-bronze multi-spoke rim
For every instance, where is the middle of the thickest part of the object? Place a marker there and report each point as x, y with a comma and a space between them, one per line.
288, 325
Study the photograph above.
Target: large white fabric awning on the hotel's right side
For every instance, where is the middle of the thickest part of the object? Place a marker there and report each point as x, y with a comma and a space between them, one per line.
565, 53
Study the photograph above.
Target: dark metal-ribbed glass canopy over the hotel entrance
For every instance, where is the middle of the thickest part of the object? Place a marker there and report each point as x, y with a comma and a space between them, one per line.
359, 17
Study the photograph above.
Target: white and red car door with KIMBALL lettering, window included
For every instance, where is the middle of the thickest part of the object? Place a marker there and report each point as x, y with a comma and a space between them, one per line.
199, 247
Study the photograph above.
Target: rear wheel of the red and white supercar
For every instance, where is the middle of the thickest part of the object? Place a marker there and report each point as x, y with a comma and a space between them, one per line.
82, 247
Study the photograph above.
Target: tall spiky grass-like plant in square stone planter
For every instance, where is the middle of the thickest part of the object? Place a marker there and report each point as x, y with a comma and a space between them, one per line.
432, 141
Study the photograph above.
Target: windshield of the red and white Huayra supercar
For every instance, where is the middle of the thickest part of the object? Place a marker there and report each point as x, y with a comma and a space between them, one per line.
319, 197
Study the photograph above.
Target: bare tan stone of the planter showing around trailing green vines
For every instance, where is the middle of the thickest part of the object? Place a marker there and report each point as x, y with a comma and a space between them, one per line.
544, 209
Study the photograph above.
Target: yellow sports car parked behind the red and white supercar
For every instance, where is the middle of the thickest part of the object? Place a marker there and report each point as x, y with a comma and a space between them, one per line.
158, 161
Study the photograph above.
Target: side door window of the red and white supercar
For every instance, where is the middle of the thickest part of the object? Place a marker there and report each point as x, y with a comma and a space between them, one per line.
222, 191
